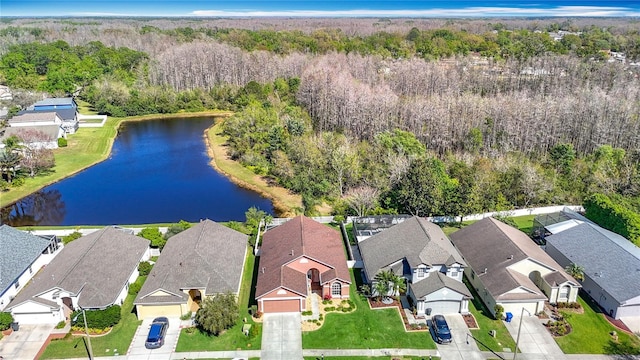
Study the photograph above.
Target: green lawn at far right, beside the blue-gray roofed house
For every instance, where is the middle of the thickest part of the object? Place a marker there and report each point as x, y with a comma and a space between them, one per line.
590, 334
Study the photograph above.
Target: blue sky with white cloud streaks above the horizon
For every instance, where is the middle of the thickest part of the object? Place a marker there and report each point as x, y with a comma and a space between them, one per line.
329, 8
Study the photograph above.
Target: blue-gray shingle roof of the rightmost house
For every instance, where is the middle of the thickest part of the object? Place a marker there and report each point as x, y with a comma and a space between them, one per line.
617, 266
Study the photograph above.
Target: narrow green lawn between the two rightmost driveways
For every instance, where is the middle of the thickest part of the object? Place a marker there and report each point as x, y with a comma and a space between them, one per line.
486, 323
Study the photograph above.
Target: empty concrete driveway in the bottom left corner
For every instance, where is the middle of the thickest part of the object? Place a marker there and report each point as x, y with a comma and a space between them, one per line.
25, 343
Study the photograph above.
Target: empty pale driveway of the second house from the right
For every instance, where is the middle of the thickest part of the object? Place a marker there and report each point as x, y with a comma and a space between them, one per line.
534, 337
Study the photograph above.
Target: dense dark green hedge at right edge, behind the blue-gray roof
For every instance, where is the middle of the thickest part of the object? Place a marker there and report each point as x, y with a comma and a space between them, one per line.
615, 214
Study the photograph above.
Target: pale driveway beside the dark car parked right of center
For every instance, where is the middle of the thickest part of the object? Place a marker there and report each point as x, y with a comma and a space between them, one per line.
462, 347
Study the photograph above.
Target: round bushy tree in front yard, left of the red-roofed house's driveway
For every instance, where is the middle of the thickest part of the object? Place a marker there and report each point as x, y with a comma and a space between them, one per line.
218, 313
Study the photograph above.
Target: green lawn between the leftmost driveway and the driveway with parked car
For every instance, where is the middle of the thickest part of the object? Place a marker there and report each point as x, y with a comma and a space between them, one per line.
119, 338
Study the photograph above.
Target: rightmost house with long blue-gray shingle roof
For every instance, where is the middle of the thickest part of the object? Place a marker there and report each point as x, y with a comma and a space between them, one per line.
611, 265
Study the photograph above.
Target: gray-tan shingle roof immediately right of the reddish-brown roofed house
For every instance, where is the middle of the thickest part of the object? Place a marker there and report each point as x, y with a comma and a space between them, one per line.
417, 240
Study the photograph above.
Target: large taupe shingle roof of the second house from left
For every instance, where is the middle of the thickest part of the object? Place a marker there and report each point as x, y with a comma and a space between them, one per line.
98, 265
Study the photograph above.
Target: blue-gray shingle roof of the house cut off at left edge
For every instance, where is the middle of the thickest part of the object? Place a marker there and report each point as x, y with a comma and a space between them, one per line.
18, 250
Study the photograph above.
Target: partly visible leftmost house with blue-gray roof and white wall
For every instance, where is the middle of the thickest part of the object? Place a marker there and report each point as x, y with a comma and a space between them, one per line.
22, 254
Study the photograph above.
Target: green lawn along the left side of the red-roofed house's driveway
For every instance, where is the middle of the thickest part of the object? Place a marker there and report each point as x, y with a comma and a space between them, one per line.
233, 338
